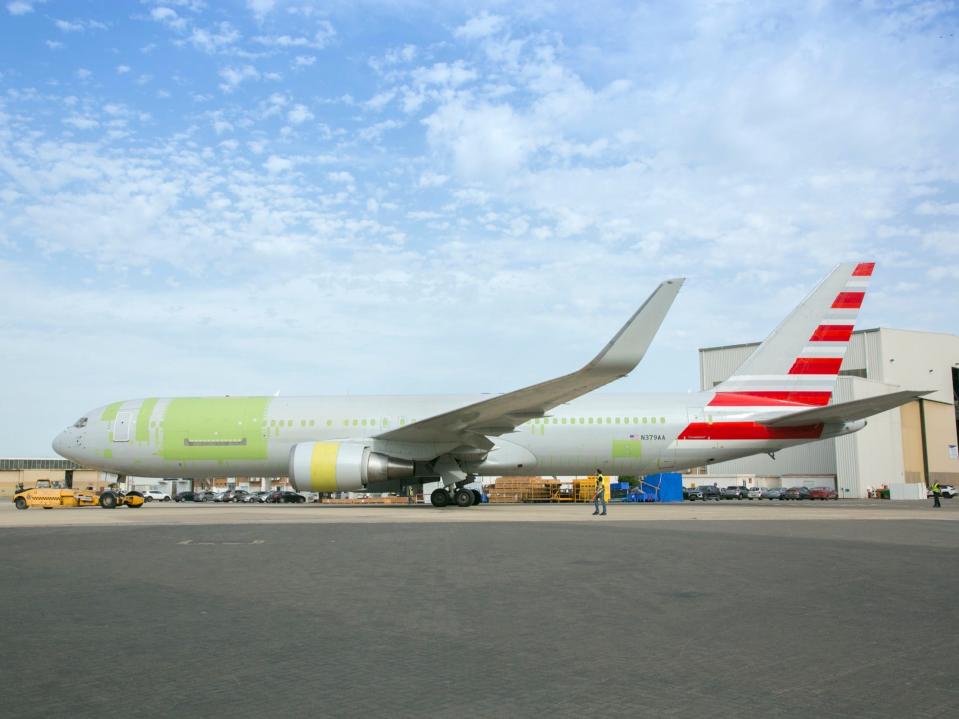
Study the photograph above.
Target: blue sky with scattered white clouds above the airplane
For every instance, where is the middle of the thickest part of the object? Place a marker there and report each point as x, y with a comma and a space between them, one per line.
324, 198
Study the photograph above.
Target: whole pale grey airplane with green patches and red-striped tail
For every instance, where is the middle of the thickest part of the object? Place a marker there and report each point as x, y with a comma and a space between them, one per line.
780, 396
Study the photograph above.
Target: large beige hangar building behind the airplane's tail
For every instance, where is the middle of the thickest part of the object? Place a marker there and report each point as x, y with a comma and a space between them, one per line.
916, 443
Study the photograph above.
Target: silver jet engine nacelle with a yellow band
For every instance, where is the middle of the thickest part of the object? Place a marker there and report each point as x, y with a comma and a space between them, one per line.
342, 467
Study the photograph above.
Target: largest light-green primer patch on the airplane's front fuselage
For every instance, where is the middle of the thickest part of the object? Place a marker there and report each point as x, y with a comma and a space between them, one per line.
214, 428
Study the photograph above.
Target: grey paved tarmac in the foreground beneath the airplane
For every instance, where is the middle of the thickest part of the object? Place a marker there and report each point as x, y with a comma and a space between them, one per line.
842, 610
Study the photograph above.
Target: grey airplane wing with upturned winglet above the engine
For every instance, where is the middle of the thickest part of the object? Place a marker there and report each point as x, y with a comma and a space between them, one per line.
501, 414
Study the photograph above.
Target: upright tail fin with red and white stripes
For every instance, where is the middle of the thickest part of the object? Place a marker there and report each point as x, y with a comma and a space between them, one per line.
798, 363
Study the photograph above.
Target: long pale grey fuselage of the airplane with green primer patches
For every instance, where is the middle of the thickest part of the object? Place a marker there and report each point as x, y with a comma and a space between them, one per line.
623, 434
